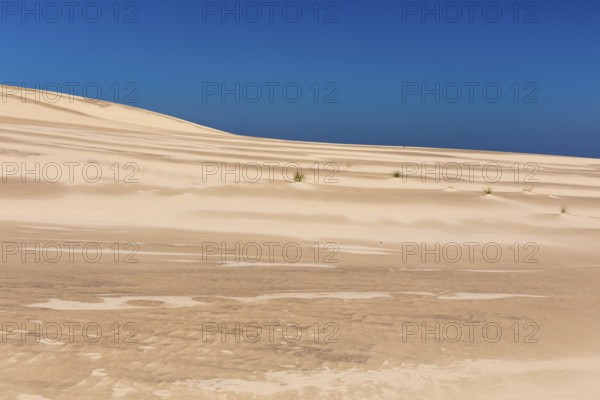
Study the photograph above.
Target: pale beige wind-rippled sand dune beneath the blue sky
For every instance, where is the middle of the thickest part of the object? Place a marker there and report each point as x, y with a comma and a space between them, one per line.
154, 305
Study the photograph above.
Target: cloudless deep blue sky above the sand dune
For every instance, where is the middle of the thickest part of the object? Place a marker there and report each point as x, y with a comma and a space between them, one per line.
381, 72
